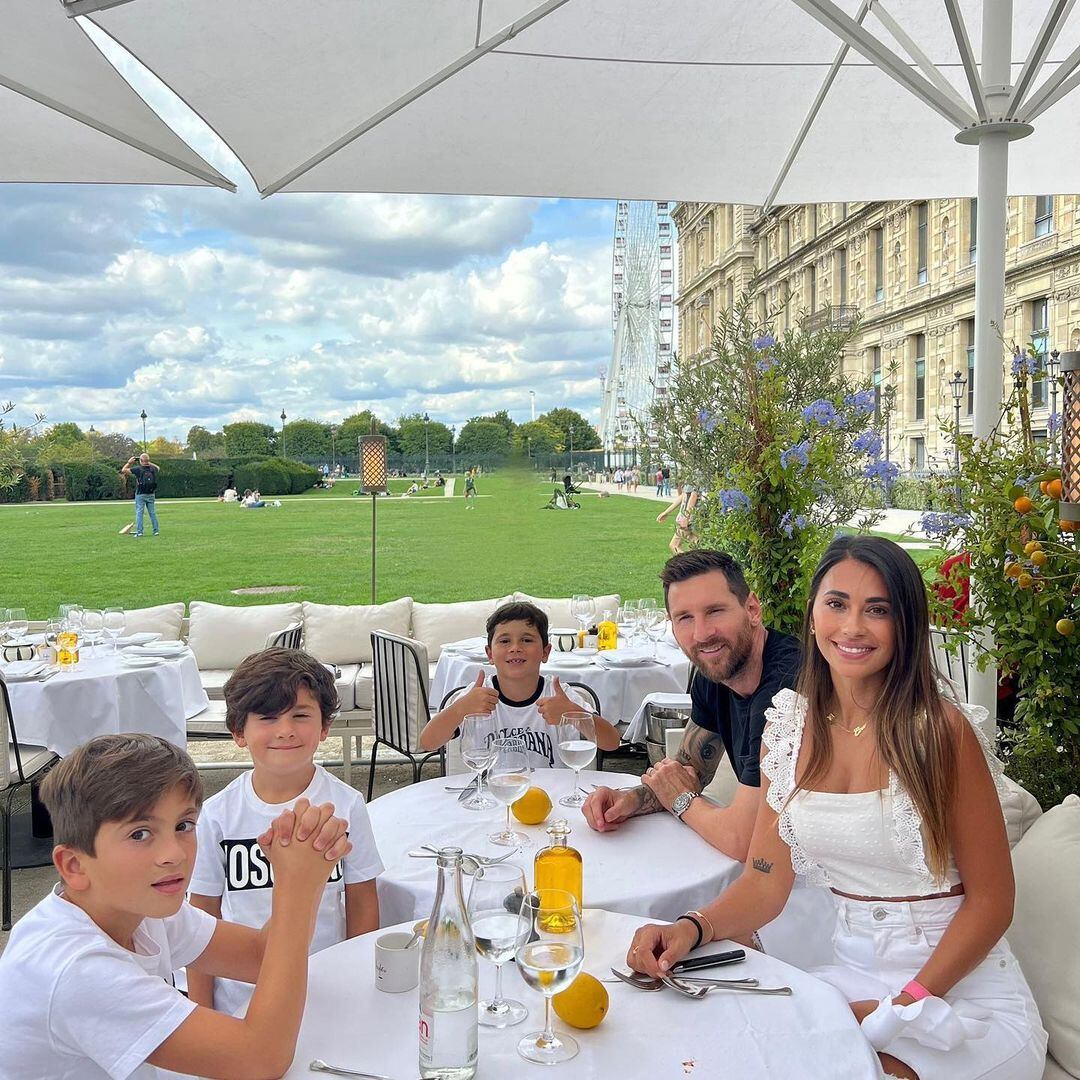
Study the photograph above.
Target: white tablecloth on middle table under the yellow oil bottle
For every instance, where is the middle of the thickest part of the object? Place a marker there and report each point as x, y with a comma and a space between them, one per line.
655, 867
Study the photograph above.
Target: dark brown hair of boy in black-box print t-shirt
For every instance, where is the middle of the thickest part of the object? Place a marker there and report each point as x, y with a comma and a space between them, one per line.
267, 683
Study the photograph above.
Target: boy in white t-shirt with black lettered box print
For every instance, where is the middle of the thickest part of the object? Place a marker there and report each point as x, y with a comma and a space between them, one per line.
279, 707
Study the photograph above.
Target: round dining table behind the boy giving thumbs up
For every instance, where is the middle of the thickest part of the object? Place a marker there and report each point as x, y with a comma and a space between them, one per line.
620, 690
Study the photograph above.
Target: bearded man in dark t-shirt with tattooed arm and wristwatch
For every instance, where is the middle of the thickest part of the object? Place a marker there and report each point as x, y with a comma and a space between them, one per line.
740, 665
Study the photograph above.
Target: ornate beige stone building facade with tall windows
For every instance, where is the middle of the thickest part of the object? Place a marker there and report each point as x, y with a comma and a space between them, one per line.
908, 272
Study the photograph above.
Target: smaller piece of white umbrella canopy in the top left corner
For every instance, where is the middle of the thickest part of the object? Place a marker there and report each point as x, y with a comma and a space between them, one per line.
66, 115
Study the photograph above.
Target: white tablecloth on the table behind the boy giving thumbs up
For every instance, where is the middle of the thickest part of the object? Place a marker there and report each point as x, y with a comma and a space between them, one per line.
620, 690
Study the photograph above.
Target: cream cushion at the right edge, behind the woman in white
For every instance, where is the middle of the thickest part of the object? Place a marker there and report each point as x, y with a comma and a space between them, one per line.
1046, 929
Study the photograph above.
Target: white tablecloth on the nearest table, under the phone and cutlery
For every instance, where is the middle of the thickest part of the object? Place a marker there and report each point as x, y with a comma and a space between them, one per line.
812, 1035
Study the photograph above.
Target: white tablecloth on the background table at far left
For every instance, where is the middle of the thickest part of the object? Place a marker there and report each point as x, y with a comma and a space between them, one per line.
100, 696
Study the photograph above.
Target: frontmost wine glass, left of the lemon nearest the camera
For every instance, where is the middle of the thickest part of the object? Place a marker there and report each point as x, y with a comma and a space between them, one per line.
550, 953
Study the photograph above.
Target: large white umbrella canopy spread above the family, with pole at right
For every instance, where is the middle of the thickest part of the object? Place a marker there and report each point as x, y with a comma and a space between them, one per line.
693, 100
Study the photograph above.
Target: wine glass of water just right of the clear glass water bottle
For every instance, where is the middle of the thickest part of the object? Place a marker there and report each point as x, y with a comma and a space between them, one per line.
495, 900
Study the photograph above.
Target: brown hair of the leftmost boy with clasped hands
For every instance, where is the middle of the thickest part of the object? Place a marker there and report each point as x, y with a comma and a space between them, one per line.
114, 778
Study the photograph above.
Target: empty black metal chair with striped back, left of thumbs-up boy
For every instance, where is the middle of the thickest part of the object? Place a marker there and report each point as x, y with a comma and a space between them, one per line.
400, 703
